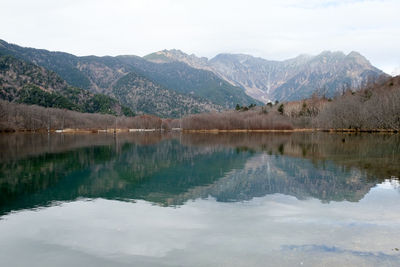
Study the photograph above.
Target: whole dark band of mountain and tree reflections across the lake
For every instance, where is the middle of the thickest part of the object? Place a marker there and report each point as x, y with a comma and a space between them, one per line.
171, 169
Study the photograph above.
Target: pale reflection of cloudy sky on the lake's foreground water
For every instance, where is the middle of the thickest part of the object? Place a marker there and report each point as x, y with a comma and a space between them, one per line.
274, 229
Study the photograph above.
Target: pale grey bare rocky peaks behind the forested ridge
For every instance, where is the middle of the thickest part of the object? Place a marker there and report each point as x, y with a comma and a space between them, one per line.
328, 73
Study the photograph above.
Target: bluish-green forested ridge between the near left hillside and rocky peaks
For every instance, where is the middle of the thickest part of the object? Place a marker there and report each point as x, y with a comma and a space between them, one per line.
167, 90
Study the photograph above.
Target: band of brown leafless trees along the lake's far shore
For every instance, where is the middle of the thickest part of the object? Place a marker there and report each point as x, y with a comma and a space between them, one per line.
375, 108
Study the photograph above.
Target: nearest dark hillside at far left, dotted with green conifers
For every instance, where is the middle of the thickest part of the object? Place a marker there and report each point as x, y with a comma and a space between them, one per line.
25, 82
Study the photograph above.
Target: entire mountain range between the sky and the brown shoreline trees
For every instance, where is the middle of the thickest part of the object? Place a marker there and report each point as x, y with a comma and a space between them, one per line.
171, 83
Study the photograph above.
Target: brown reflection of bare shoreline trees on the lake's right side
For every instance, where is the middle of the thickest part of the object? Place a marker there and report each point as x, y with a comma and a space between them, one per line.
378, 154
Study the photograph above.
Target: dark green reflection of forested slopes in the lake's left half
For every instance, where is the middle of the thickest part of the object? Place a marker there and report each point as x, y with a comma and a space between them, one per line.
153, 172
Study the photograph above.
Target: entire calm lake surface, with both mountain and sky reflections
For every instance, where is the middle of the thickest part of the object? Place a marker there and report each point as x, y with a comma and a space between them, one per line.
200, 200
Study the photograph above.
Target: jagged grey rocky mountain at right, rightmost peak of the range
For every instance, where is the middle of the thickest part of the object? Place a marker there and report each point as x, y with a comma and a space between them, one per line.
328, 74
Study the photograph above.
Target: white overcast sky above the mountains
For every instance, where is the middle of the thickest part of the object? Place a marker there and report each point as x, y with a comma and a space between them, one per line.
275, 29
